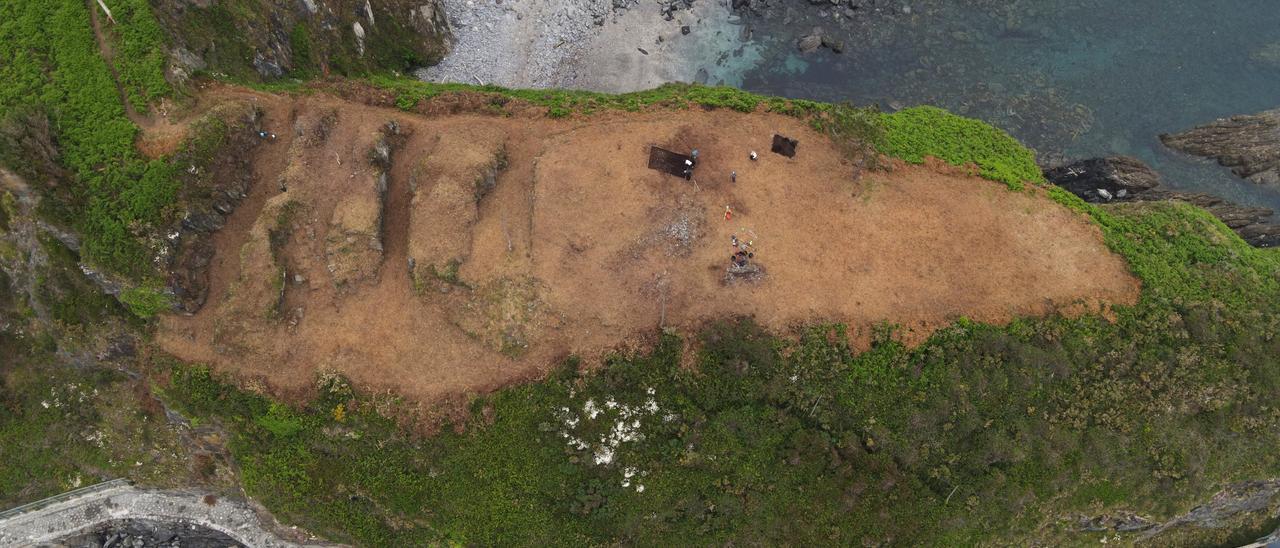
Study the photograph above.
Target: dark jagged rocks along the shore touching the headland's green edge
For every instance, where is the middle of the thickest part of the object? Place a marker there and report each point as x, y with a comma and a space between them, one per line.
1122, 179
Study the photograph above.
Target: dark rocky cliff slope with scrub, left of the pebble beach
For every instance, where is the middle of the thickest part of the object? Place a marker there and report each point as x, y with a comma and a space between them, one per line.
264, 40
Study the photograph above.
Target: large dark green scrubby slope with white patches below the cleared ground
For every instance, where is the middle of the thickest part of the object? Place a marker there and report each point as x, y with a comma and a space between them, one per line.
981, 435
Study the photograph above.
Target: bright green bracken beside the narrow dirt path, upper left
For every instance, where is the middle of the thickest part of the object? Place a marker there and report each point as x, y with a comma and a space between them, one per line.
51, 65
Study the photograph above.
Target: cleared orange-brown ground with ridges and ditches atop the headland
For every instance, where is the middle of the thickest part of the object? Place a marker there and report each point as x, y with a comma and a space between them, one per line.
433, 257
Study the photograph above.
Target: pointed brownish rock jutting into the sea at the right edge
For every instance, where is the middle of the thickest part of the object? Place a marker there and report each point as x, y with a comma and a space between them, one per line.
1247, 144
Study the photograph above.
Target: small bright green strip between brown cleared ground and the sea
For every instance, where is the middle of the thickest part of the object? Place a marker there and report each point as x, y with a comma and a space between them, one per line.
916, 134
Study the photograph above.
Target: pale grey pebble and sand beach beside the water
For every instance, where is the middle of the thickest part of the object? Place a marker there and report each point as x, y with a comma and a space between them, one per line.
593, 45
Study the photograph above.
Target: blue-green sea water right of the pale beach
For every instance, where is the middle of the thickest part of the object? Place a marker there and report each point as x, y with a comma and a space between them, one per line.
1072, 79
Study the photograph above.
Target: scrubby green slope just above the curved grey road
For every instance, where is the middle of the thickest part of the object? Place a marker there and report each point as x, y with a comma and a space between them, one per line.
62, 428
